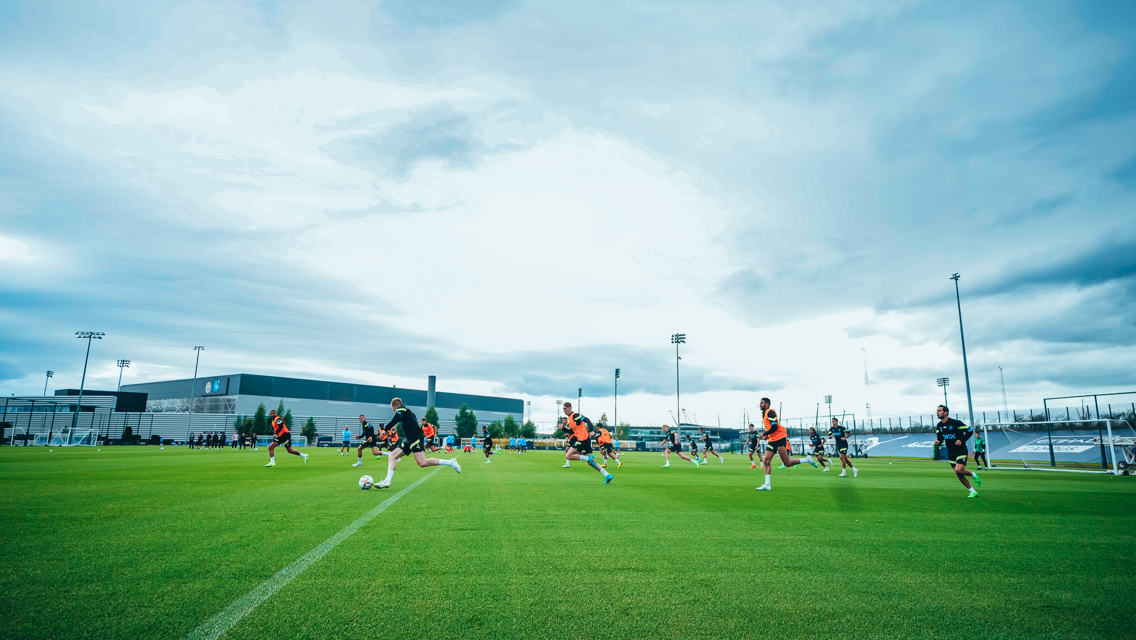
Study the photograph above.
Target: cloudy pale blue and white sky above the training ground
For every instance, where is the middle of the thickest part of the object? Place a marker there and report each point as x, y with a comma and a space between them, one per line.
521, 198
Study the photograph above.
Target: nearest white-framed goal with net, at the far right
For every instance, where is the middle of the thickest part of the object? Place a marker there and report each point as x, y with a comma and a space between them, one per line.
1101, 446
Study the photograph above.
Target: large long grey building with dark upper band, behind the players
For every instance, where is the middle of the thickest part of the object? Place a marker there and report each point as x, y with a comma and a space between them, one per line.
240, 395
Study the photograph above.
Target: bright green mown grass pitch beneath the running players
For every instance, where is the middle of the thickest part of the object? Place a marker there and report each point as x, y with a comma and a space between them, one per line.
141, 543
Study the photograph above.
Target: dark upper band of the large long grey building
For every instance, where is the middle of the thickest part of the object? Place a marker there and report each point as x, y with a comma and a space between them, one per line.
278, 387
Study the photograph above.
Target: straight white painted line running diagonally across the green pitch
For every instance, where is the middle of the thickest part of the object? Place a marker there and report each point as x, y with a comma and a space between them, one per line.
228, 619
